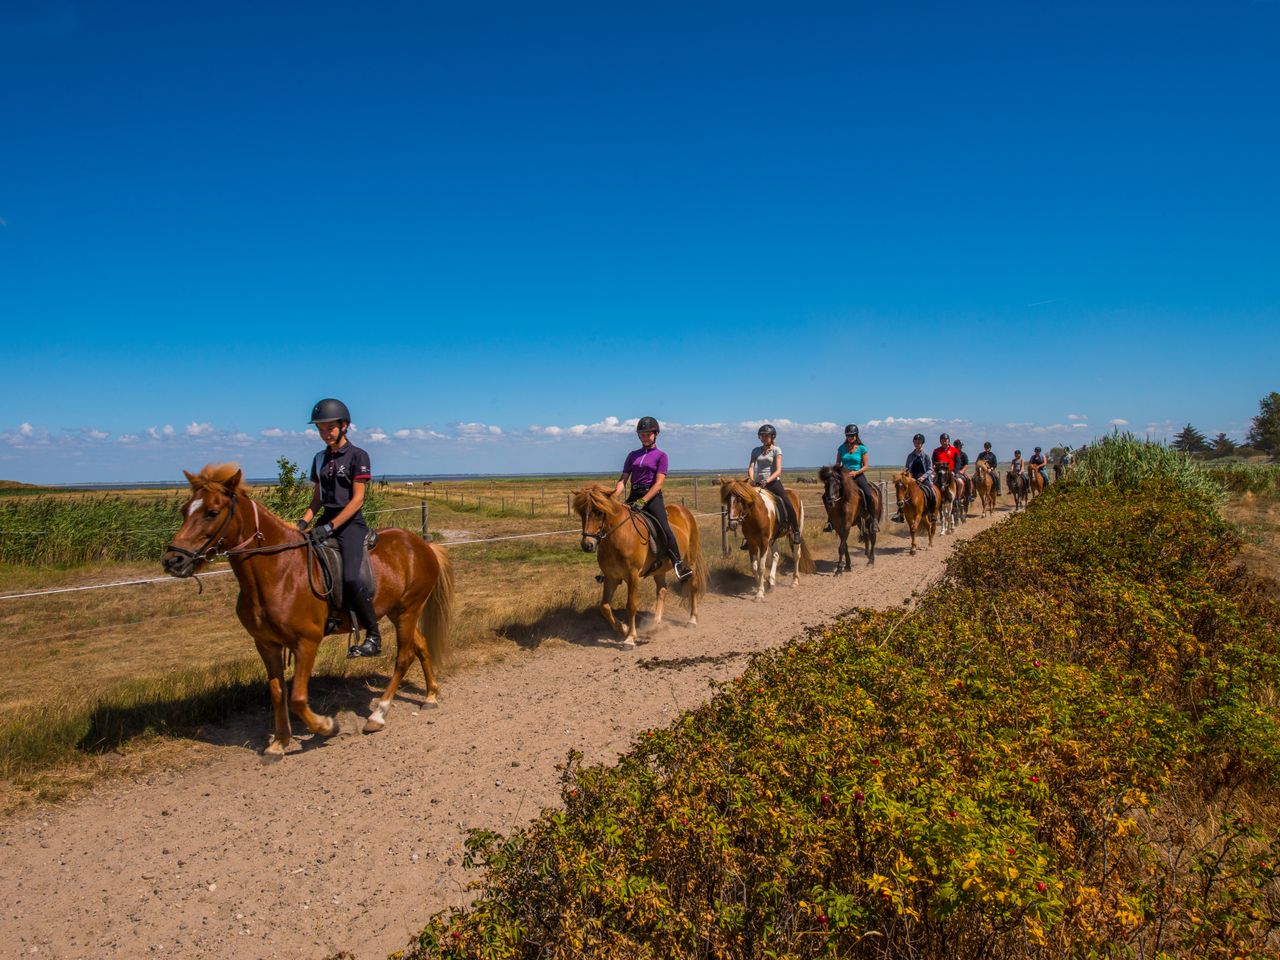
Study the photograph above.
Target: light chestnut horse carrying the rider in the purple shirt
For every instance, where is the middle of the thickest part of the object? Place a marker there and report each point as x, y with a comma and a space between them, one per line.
627, 554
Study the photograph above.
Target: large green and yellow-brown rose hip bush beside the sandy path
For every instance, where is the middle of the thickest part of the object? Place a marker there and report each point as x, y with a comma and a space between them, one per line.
1068, 748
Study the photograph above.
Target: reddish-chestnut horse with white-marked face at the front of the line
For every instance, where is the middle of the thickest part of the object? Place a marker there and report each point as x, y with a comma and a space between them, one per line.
282, 602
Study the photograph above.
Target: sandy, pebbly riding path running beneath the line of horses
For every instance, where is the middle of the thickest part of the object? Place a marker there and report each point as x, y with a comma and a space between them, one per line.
354, 842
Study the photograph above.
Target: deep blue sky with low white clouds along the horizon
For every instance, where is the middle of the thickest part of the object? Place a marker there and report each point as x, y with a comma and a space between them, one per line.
502, 231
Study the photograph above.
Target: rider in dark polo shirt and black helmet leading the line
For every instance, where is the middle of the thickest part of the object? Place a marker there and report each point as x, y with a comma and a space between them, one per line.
341, 474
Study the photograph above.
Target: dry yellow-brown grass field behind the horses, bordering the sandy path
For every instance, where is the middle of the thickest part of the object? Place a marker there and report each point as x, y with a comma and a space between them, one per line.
99, 682
